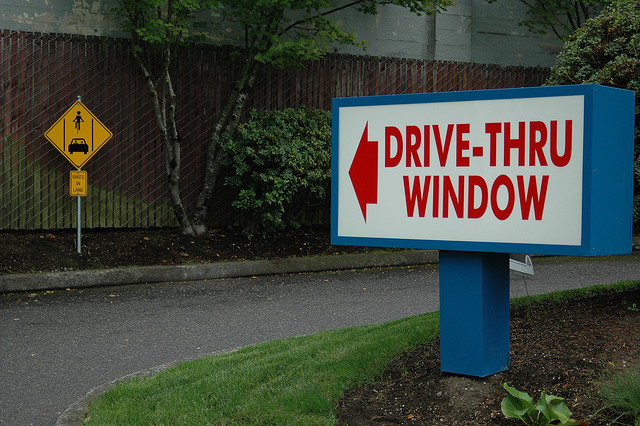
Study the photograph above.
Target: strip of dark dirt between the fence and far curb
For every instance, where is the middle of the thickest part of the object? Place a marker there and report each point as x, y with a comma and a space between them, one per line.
38, 251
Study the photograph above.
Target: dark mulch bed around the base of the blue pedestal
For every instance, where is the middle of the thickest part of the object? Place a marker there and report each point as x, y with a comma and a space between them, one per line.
560, 349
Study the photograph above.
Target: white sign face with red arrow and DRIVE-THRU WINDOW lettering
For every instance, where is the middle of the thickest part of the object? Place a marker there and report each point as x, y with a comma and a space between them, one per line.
487, 170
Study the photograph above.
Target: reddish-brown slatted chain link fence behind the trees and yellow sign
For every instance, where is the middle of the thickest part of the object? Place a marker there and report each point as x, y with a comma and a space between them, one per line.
41, 75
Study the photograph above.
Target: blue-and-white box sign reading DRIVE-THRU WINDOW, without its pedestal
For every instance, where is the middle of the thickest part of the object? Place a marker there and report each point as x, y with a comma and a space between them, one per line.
544, 170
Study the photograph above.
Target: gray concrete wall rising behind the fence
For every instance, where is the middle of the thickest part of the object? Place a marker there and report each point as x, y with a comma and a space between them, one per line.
471, 31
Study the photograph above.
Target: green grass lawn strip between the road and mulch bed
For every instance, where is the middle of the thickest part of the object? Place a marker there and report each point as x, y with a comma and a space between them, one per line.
296, 380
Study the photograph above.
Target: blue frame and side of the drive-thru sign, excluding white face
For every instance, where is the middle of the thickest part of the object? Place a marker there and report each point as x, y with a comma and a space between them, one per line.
607, 170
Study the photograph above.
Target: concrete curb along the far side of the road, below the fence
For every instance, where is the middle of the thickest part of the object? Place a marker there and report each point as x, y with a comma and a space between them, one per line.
232, 269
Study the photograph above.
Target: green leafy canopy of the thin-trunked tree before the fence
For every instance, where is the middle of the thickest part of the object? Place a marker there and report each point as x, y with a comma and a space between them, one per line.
279, 32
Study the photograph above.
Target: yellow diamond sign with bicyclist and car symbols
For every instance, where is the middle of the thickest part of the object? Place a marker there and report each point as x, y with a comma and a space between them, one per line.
78, 134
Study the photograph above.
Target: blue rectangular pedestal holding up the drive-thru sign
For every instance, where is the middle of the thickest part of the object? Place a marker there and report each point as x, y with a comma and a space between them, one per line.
474, 313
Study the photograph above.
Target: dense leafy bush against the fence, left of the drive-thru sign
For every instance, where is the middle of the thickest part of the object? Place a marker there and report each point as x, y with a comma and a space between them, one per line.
282, 165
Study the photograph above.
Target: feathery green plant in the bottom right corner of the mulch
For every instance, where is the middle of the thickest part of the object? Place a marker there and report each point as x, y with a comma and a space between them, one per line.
622, 394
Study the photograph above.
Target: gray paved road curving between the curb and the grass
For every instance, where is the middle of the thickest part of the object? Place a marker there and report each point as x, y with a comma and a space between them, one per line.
56, 346
